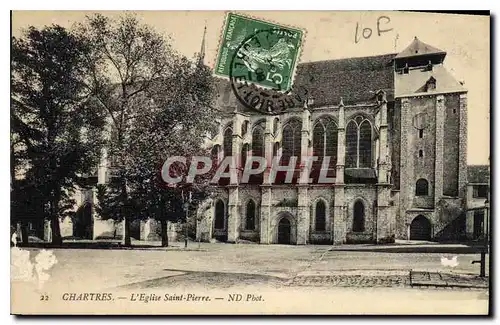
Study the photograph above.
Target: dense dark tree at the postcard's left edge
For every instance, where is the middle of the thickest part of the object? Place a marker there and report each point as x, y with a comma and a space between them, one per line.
55, 128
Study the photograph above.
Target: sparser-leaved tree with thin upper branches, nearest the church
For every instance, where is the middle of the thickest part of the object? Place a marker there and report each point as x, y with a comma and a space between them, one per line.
158, 104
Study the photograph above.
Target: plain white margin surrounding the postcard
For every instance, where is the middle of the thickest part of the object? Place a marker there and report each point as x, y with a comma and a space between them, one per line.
192, 5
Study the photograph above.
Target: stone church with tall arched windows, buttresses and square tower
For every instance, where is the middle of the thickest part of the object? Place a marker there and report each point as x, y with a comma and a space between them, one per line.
395, 127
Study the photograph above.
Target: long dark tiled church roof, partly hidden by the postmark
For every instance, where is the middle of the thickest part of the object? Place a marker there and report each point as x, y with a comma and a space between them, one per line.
354, 79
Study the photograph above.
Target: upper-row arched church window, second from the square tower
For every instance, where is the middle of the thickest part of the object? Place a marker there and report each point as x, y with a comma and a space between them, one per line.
325, 140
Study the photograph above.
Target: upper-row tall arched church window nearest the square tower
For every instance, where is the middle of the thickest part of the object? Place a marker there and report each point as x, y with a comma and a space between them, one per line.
359, 143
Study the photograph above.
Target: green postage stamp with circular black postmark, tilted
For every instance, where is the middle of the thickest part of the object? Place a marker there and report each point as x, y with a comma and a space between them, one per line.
259, 52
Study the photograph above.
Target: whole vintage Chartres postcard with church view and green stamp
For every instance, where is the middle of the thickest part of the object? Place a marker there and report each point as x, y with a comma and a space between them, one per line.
250, 163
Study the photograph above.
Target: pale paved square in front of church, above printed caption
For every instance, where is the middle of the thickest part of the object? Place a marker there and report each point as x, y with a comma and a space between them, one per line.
229, 264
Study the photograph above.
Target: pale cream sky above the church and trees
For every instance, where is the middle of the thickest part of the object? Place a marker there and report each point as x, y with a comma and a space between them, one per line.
331, 35
